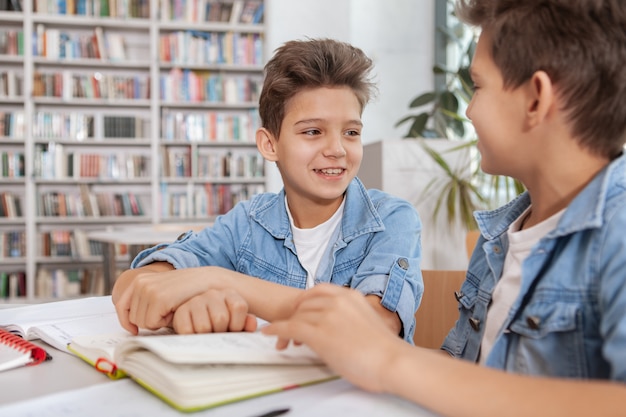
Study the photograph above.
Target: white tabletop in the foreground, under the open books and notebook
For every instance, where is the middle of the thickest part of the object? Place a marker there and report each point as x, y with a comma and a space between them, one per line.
67, 386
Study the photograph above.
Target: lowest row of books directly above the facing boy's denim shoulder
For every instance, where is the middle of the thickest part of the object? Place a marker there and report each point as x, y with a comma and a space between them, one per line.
202, 202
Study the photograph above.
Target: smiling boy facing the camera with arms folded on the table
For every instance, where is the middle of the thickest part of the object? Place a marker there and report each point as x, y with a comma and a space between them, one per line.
324, 226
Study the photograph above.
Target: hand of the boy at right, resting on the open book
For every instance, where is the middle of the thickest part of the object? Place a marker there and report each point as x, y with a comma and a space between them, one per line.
345, 331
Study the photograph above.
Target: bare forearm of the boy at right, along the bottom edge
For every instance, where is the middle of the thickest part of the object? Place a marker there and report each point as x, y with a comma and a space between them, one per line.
452, 387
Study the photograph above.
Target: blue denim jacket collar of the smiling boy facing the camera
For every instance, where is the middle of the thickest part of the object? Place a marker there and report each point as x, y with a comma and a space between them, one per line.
359, 216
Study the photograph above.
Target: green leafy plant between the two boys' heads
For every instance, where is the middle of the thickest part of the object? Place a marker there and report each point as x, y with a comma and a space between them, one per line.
441, 114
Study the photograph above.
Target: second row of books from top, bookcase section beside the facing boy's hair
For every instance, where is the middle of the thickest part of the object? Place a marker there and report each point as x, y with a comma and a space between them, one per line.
207, 48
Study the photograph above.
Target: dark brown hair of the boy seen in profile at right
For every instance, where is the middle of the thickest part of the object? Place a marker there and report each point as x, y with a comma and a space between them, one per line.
580, 44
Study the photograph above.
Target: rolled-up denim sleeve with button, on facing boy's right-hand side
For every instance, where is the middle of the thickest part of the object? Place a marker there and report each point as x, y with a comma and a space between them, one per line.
391, 267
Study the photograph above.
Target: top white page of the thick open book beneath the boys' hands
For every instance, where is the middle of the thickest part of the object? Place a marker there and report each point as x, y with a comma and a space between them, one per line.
238, 348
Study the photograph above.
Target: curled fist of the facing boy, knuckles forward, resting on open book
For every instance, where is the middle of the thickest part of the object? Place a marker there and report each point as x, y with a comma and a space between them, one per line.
214, 311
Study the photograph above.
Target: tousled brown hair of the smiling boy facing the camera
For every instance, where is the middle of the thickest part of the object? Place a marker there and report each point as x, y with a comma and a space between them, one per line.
312, 63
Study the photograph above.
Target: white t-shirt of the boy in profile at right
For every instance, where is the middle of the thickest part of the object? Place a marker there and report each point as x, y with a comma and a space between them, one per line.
508, 288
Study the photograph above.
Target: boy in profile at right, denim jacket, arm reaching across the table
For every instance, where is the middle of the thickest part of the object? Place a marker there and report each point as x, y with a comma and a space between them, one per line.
543, 306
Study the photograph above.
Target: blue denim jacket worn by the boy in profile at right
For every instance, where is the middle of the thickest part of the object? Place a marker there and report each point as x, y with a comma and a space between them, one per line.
570, 317
